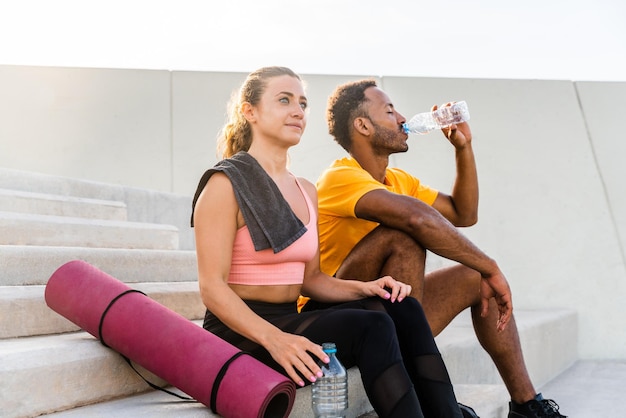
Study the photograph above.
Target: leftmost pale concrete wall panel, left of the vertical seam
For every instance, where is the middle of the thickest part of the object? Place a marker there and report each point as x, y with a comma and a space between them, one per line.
104, 125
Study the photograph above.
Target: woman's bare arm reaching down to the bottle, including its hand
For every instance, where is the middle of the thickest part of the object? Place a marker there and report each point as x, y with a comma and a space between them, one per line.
216, 221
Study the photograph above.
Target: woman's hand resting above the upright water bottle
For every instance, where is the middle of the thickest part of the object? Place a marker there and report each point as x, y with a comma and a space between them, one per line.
296, 354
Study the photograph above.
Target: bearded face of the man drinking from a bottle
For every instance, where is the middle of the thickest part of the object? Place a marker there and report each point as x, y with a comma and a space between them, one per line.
389, 137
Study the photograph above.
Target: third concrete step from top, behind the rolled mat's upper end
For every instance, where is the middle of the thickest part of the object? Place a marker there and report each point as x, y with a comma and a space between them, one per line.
33, 265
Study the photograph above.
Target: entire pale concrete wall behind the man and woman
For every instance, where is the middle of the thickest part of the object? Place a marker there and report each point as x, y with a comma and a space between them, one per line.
552, 208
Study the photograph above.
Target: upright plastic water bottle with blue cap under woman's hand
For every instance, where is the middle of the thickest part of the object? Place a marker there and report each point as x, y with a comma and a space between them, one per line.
329, 393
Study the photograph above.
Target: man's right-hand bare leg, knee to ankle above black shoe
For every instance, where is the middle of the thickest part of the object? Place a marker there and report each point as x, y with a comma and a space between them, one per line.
449, 291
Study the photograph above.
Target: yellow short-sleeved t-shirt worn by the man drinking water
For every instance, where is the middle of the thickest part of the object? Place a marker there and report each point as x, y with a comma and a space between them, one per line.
339, 189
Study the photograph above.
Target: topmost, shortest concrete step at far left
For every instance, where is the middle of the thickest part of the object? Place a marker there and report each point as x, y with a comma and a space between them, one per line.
57, 205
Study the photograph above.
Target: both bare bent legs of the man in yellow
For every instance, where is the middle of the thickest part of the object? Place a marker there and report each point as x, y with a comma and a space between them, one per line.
444, 293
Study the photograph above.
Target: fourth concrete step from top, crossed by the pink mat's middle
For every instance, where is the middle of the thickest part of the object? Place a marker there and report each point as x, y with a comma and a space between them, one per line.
24, 313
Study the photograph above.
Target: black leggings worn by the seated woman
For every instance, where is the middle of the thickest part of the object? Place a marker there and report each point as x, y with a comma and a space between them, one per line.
391, 343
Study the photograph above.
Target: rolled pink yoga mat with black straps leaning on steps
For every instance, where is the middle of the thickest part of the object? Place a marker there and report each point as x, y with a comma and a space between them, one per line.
167, 344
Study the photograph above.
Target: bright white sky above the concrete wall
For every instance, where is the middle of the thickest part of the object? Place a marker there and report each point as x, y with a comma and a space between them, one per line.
530, 39
